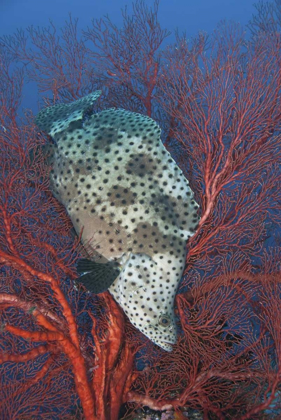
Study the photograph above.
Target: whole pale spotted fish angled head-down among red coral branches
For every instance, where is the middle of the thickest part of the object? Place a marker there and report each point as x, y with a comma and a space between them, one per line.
117, 181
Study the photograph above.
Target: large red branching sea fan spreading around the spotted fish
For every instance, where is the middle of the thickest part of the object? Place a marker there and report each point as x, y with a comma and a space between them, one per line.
68, 354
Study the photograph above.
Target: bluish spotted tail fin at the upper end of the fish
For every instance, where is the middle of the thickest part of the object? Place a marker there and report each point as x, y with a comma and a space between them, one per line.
57, 118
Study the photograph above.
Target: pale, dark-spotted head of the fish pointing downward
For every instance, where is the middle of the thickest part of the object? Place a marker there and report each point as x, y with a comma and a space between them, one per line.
146, 294
